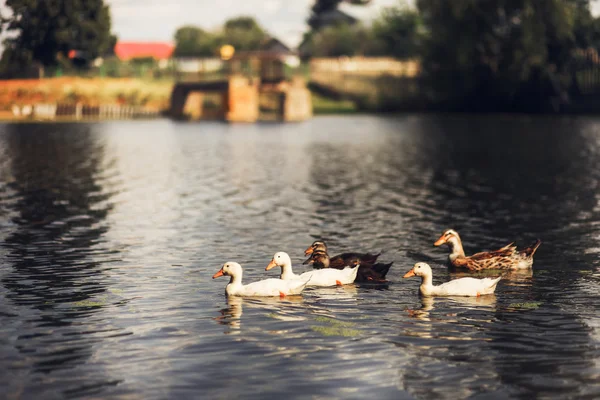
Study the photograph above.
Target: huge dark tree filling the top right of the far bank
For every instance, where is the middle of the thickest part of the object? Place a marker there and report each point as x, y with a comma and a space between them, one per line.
499, 53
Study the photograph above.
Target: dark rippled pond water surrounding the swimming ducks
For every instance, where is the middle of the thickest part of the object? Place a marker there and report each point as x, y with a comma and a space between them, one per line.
110, 233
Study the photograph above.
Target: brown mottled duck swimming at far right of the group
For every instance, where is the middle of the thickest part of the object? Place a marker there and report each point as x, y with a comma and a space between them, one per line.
508, 257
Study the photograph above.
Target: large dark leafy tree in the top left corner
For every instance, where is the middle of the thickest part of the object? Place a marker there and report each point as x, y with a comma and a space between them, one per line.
45, 31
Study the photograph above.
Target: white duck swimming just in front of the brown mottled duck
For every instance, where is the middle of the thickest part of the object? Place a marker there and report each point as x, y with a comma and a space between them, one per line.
456, 287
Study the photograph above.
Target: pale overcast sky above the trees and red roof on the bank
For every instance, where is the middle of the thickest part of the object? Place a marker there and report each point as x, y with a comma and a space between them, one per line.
286, 19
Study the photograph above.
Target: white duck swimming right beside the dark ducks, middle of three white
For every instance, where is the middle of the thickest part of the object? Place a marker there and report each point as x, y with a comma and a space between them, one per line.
319, 277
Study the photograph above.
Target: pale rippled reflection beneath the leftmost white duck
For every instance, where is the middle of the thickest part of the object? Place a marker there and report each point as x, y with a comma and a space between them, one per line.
278, 308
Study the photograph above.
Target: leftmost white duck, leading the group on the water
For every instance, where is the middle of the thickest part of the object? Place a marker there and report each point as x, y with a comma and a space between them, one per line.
266, 287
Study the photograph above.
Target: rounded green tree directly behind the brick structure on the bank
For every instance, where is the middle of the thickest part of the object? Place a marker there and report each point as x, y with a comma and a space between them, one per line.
243, 33
